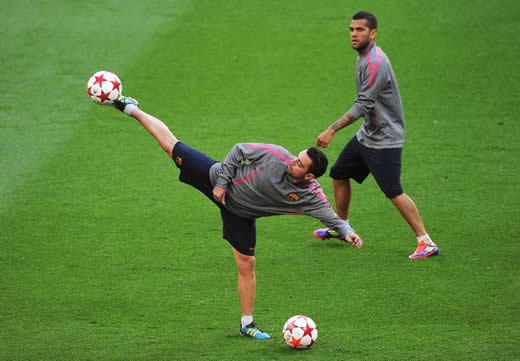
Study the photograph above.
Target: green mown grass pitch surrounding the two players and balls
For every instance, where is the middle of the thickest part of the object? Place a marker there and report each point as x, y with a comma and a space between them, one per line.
104, 255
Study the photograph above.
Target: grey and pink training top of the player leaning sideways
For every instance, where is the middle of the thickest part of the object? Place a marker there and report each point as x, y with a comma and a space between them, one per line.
257, 185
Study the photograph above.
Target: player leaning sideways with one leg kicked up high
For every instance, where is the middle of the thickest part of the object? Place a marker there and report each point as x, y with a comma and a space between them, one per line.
254, 180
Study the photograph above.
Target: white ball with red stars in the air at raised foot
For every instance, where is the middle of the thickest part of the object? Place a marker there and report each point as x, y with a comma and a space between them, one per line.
104, 87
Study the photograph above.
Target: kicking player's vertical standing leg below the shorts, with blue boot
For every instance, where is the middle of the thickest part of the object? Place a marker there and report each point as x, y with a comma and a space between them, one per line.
247, 294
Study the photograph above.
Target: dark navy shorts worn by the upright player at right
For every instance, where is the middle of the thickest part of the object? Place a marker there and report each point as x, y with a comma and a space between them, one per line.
357, 161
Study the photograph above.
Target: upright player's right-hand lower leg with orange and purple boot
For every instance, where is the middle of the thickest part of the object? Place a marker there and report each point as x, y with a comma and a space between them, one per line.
425, 247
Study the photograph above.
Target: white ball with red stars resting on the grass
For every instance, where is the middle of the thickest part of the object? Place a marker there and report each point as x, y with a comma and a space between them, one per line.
300, 332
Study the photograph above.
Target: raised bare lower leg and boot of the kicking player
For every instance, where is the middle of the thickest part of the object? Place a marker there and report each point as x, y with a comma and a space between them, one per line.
154, 126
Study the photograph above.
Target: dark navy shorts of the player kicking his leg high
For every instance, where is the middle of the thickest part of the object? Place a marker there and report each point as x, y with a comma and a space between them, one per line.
238, 231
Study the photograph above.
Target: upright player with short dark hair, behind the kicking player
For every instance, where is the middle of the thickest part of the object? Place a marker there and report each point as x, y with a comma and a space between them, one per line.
376, 148
